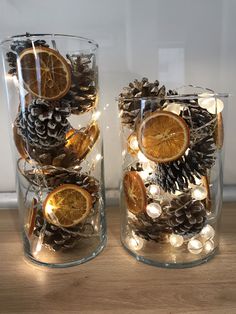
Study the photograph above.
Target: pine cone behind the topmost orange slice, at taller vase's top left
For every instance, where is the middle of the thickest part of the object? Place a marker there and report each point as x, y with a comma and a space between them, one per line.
17, 47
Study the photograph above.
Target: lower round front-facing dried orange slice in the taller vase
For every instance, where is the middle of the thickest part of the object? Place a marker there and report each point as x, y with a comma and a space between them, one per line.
67, 205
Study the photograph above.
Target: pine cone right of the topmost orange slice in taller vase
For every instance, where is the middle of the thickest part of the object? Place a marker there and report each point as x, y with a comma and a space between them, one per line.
82, 95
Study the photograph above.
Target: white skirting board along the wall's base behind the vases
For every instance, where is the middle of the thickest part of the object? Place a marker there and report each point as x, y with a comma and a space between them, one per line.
9, 200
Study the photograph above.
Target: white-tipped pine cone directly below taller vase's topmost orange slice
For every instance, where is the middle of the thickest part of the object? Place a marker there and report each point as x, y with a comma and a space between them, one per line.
43, 124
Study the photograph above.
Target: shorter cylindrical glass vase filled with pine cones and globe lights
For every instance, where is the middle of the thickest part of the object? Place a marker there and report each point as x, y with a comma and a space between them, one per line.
171, 189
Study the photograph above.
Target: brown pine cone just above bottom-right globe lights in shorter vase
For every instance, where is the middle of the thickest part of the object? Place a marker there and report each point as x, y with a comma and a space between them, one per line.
185, 216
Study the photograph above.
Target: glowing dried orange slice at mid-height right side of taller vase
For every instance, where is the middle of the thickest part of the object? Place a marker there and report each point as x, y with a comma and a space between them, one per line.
82, 141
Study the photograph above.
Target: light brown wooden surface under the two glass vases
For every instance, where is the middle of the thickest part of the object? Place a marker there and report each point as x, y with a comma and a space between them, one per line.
115, 282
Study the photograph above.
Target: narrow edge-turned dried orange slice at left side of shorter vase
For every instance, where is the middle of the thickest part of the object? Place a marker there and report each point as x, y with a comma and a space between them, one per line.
135, 192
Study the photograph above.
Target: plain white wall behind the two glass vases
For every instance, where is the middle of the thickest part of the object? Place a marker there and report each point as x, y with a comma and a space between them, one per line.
178, 42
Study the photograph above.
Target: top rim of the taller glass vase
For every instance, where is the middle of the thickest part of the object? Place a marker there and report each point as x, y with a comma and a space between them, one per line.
28, 35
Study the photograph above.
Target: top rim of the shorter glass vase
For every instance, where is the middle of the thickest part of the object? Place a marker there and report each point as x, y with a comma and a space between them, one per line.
176, 97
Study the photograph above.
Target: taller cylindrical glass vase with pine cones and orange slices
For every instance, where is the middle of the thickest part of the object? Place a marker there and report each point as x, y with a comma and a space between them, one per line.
52, 96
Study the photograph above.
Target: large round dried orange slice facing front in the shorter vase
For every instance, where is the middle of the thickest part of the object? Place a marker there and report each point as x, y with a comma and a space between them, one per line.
163, 136
